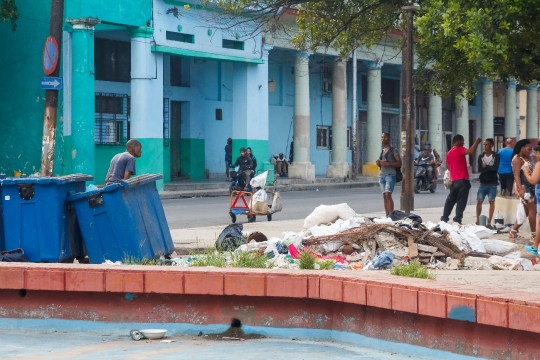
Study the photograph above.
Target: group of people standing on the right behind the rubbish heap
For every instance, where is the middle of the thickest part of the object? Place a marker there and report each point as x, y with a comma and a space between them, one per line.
513, 167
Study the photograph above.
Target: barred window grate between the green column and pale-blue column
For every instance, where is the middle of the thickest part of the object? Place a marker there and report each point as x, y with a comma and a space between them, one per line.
111, 119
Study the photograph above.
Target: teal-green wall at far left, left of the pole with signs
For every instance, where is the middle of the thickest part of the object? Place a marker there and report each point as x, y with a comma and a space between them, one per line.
22, 100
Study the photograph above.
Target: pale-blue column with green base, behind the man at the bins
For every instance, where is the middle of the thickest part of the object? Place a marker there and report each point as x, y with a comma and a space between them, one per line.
146, 119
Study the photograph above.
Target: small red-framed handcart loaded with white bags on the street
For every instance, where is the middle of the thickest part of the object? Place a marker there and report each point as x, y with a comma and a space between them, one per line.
241, 203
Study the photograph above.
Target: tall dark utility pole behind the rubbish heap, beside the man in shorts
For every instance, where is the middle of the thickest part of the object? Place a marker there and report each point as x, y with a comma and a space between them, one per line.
407, 111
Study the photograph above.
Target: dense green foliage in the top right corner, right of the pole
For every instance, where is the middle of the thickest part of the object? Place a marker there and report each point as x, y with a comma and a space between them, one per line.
459, 40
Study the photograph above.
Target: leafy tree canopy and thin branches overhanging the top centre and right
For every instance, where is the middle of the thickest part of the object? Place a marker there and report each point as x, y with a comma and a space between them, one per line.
456, 40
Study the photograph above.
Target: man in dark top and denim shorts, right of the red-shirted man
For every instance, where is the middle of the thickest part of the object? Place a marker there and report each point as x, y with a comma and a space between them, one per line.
489, 164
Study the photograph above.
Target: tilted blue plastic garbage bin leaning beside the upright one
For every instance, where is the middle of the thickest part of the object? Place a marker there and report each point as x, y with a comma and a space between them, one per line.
124, 220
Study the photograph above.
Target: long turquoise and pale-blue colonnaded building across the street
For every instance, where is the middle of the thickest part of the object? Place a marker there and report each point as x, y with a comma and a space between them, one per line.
164, 72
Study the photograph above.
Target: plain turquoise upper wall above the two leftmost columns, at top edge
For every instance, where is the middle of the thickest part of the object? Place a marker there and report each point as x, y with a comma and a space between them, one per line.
126, 12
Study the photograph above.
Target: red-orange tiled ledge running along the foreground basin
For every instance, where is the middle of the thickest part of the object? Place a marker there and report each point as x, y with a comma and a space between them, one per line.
495, 307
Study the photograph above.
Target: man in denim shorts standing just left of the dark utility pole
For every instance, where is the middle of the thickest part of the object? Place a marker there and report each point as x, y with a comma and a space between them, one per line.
388, 161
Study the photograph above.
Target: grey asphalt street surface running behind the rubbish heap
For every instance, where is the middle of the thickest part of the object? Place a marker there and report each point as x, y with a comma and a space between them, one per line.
211, 211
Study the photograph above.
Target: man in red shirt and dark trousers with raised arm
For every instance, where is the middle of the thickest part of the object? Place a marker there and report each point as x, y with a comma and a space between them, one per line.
459, 174
